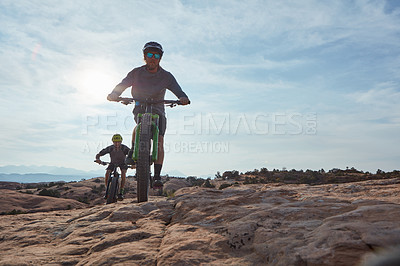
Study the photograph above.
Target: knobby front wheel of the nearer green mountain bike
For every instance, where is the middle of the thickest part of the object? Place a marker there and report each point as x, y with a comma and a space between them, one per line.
143, 162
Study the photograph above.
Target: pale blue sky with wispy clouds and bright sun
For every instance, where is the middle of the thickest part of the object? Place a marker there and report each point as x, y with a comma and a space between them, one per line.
275, 84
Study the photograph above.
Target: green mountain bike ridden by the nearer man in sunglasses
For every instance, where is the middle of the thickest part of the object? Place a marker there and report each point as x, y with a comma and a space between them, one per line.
145, 151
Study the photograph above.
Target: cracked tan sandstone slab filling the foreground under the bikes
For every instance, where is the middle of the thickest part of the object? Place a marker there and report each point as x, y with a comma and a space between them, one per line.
272, 224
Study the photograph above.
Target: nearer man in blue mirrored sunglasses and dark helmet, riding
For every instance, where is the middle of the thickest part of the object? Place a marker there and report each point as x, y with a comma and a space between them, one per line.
150, 81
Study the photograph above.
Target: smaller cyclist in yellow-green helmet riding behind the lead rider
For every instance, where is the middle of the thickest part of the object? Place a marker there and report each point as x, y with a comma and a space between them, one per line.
118, 152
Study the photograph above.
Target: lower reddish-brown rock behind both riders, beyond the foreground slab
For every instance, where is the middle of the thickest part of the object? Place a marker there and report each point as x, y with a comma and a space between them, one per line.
24, 198
